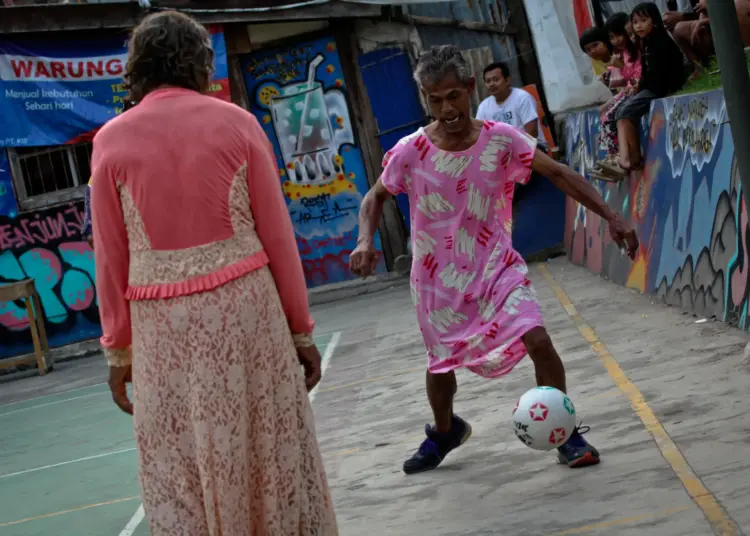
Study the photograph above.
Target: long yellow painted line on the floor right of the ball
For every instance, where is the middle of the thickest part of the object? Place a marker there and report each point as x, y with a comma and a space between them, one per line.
701, 496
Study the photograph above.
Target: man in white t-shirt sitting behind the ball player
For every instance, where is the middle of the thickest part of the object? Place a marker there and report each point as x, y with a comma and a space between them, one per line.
509, 105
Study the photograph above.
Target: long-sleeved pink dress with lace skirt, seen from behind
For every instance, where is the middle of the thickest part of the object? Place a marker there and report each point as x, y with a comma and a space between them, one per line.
200, 285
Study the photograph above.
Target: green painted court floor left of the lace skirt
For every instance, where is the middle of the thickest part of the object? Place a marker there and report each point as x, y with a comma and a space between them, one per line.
68, 464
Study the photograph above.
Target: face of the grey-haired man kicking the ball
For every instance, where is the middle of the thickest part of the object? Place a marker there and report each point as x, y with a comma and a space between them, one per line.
450, 103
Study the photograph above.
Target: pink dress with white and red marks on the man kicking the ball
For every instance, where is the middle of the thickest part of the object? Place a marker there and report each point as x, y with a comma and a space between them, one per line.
473, 299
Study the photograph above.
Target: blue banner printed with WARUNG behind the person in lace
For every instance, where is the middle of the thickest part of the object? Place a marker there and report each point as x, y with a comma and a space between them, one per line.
54, 92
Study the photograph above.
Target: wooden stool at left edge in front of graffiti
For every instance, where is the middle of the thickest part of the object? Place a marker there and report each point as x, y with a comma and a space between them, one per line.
26, 291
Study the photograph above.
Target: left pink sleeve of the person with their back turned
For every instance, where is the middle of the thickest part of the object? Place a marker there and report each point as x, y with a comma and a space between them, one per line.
112, 260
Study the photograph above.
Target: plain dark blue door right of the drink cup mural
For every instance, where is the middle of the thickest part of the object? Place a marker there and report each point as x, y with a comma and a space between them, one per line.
394, 99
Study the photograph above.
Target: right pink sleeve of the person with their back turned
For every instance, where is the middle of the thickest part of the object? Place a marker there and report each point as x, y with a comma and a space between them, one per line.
274, 227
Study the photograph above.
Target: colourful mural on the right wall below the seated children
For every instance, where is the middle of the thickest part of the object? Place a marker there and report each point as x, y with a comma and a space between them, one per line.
686, 204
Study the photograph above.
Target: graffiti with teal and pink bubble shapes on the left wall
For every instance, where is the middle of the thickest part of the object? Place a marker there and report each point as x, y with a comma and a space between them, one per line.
47, 246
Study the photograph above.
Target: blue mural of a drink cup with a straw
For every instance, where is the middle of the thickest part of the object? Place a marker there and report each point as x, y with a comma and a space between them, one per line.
299, 96
